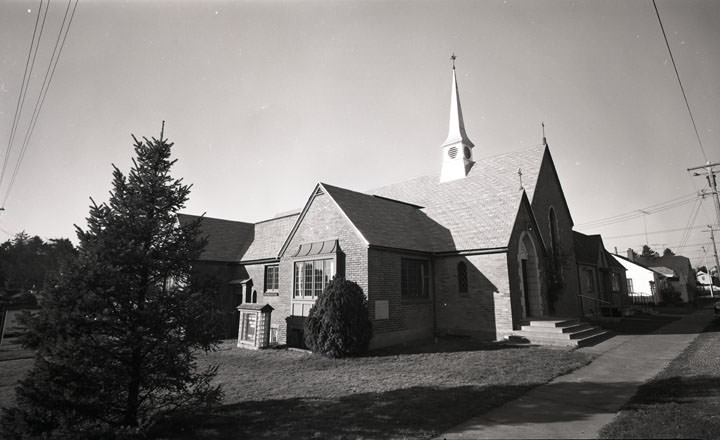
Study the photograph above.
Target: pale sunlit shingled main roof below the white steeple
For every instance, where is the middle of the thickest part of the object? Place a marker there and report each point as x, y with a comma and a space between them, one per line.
479, 211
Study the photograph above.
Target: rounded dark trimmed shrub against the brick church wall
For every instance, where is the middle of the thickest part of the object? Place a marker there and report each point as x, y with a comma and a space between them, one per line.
339, 323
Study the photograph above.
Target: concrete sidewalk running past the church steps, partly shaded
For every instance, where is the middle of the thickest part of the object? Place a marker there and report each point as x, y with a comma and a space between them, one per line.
579, 404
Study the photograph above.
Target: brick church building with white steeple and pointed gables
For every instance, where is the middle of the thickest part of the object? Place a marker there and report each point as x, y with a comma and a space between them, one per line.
472, 250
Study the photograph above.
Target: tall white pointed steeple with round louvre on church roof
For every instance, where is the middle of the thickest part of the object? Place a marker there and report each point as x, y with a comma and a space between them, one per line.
457, 148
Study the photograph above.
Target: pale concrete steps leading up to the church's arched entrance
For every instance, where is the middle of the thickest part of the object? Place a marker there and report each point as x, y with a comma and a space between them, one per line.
562, 333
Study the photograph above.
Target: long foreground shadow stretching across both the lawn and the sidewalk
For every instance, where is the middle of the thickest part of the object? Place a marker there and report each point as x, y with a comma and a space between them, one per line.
417, 412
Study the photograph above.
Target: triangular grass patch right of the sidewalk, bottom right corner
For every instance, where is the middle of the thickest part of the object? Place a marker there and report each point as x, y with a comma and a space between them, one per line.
683, 401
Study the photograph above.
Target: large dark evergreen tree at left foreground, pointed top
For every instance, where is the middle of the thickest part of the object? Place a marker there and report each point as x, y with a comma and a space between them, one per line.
117, 334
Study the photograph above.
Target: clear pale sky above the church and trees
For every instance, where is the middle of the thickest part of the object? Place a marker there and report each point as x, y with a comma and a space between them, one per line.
265, 99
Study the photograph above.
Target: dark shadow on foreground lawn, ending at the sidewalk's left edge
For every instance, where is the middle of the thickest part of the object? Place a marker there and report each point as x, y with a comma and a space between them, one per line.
406, 413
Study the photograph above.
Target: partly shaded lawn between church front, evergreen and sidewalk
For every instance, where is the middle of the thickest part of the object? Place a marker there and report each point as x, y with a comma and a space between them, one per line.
280, 394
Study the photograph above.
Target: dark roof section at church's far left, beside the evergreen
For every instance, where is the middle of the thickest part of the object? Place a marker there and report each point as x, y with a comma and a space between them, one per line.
227, 240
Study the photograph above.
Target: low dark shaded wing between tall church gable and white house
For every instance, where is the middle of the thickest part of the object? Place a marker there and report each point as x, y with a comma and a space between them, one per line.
602, 283
